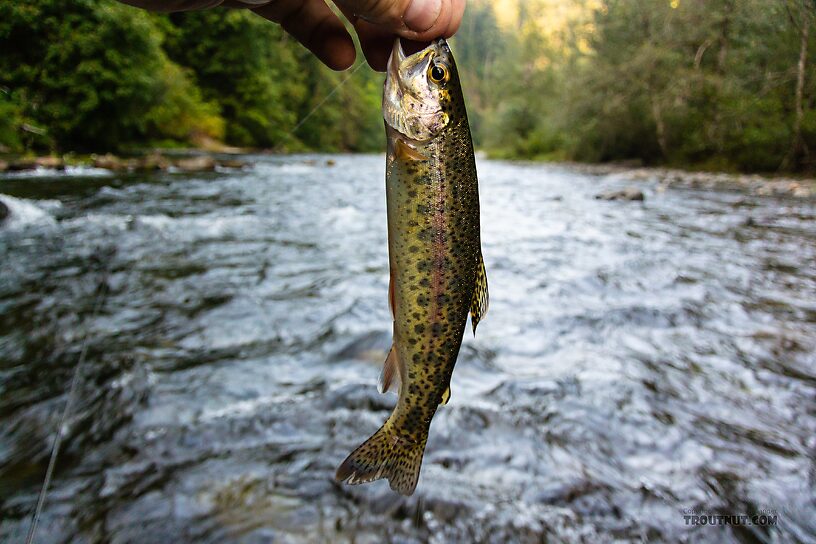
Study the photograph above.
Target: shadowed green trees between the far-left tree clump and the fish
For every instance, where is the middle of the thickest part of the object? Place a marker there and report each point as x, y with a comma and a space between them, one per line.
264, 83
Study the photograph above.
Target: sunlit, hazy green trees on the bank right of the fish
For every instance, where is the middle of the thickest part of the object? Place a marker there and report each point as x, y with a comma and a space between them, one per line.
683, 82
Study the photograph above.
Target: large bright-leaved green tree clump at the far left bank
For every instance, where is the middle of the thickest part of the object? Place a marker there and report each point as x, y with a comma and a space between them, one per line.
93, 74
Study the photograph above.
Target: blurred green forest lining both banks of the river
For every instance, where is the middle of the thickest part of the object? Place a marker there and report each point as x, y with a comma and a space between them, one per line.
706, 84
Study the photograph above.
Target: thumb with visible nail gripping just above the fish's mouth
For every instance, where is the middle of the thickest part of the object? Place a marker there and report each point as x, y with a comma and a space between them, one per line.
409, 18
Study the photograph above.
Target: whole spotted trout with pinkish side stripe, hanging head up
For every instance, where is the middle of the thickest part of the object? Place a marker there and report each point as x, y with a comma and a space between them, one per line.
437, 274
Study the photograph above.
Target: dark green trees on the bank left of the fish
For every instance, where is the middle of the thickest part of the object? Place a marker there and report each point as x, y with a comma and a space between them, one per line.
100, 75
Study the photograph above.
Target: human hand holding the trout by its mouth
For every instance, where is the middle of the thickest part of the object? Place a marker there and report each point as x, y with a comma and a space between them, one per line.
376, 22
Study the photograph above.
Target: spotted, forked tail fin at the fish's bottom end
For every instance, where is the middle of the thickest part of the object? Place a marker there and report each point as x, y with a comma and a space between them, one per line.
384, 455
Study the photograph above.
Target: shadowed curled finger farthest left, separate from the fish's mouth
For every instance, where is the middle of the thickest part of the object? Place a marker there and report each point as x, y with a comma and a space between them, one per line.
314, 24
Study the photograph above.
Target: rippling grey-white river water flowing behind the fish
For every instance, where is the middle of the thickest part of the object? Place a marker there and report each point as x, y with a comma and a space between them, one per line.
639, 362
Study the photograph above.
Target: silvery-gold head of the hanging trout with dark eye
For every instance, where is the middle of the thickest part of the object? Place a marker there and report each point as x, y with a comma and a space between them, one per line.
417, 93
